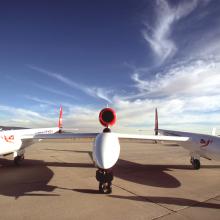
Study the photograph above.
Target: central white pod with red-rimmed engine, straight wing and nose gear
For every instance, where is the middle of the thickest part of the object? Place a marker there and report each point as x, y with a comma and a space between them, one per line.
106, 148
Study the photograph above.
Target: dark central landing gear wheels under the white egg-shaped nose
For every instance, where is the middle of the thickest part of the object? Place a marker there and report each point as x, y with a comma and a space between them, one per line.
104, 177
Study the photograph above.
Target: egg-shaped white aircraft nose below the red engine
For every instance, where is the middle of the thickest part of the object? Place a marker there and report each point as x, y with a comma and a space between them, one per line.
106, 150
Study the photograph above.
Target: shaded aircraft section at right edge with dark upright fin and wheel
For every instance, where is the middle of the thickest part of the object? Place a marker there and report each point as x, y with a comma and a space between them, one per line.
199, 145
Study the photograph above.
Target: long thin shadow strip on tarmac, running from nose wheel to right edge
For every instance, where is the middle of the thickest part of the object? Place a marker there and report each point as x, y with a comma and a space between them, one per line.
170, 201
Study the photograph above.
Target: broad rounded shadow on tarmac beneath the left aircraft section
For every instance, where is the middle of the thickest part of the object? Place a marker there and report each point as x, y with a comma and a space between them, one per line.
31, 178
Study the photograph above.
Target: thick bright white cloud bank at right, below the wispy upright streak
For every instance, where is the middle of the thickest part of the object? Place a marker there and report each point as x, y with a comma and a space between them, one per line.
191, 78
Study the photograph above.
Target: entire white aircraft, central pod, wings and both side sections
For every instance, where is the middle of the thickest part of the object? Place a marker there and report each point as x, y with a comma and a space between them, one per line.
106, 148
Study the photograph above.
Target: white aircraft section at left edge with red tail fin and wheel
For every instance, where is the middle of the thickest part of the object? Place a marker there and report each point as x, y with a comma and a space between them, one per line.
15, 141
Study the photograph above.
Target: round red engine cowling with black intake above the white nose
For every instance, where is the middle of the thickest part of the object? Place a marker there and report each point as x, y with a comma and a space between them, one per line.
107, 117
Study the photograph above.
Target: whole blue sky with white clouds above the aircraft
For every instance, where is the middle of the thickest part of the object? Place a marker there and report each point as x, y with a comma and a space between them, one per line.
132, 55
